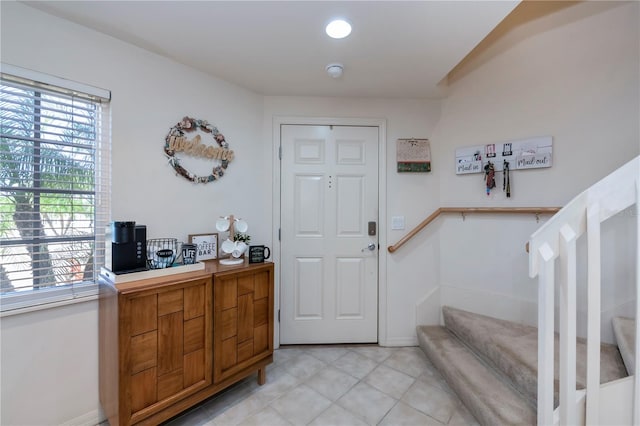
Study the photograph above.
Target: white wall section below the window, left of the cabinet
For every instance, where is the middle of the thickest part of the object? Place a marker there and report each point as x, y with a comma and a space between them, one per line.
50, 366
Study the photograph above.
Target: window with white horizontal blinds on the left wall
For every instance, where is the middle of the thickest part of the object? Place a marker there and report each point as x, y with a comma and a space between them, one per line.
55, 186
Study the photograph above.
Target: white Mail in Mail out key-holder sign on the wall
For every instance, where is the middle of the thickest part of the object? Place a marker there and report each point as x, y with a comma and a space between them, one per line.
531, 153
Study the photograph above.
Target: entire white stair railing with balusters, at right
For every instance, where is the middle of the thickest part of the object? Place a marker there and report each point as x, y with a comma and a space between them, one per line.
555, 242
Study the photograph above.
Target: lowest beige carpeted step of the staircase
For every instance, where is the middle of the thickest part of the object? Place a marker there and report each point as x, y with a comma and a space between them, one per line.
485, 393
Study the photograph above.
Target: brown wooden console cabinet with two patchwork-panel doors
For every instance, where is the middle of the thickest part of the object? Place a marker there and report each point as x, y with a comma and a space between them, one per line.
170, 342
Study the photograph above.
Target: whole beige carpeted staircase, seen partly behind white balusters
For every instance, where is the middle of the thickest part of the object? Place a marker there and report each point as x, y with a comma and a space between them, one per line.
492, 364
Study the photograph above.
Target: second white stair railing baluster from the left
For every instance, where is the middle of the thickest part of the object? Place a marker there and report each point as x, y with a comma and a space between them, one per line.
567, 374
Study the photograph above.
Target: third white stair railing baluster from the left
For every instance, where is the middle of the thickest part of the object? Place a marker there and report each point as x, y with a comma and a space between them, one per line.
593, 314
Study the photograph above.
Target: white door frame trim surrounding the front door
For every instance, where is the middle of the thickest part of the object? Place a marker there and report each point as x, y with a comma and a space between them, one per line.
381, 123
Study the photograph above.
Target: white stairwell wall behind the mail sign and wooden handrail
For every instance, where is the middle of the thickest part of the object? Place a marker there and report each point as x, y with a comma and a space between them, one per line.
569, 72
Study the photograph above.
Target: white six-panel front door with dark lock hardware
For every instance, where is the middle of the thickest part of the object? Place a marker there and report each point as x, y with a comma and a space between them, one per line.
329, 238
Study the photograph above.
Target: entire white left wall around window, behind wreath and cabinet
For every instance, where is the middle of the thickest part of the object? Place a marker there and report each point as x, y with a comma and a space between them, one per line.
150, 94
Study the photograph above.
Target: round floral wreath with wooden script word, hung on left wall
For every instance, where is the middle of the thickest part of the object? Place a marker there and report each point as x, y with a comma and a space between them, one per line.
177, 141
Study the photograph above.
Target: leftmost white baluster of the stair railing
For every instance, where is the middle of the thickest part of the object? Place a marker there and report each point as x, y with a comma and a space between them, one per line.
545, 335
